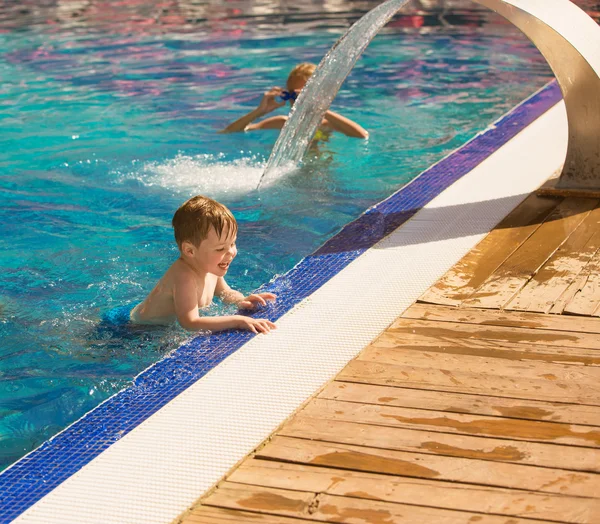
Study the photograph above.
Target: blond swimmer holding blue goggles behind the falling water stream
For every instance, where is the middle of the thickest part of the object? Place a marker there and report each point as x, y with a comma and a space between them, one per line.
295, 83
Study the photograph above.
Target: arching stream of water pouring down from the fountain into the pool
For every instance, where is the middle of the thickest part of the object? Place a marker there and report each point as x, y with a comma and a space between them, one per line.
319, 92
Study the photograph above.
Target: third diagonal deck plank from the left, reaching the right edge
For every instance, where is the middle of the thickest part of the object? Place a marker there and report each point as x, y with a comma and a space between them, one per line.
552, 280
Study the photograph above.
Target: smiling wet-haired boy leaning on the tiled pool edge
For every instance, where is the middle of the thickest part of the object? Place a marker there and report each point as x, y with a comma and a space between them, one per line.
205, 232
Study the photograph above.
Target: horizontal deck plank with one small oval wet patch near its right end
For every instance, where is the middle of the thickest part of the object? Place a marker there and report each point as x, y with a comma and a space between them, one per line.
461, 403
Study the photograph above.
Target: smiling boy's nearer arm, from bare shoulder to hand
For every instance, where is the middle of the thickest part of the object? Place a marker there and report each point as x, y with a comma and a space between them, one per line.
185, 297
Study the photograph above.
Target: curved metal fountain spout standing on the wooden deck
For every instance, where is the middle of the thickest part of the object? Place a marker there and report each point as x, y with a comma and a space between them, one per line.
570, 42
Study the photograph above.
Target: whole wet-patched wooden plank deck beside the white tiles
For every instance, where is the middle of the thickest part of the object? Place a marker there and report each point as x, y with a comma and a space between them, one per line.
481, 404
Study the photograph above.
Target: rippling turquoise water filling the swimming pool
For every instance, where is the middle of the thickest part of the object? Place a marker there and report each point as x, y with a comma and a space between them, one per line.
109, 122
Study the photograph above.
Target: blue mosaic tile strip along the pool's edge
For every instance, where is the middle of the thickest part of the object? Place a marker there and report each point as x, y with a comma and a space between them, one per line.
41, 471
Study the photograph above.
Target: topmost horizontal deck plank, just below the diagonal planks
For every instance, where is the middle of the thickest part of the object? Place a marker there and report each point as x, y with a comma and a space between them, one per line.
494, 317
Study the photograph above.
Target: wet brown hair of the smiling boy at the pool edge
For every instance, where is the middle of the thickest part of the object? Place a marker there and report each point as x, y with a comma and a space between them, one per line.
194, 218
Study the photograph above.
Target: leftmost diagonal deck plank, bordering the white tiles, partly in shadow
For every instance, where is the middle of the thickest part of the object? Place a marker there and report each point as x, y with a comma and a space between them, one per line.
475, 267
